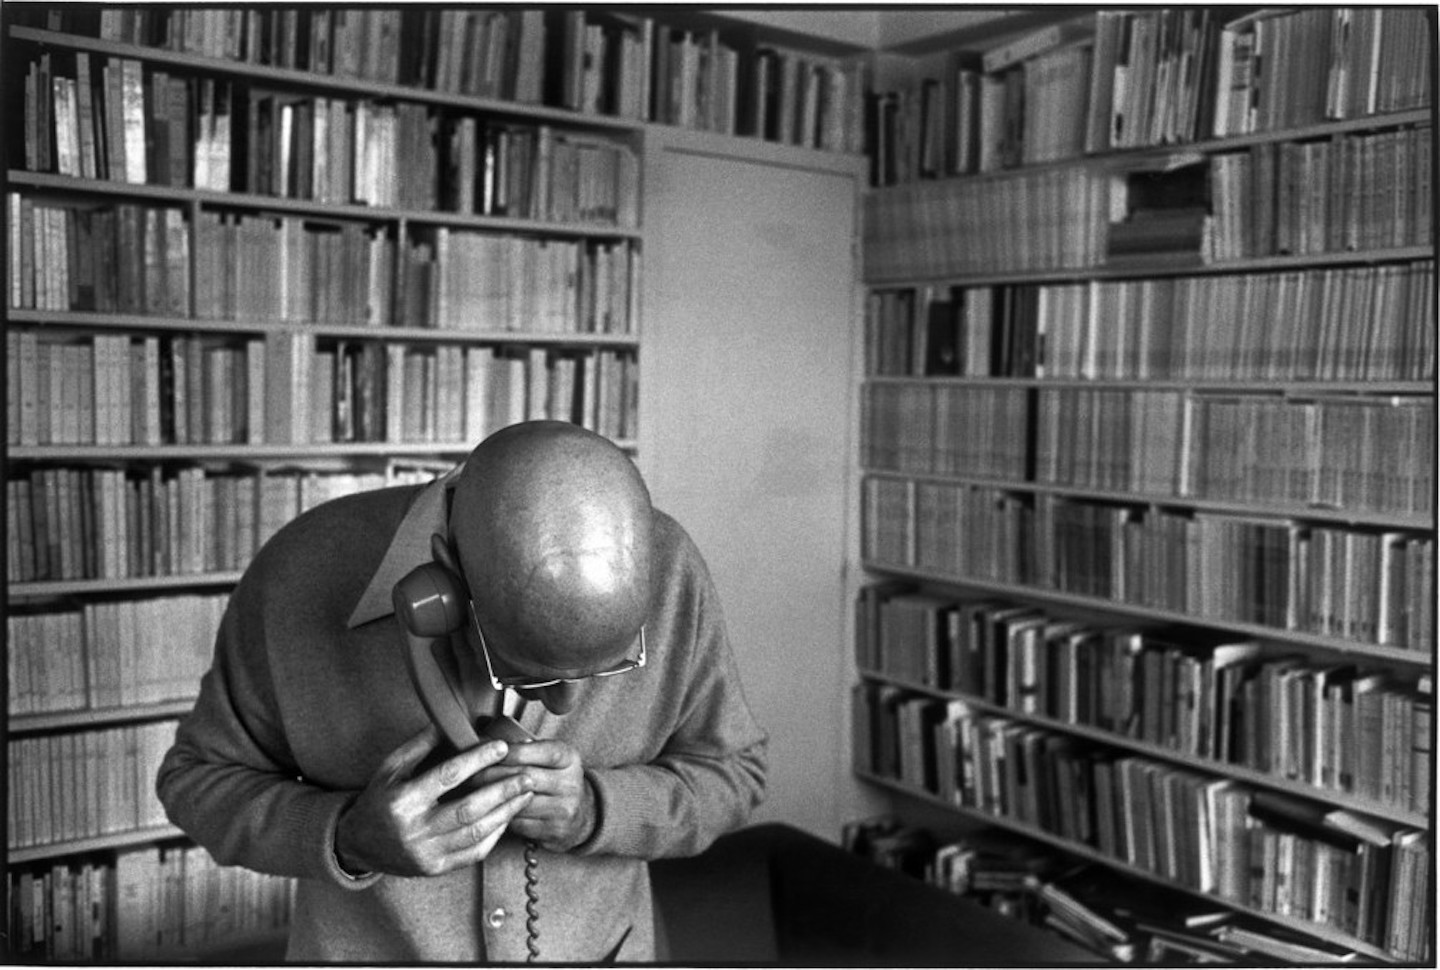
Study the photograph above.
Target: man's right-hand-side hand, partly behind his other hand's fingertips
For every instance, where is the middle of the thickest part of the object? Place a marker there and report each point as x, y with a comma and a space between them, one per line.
562, 814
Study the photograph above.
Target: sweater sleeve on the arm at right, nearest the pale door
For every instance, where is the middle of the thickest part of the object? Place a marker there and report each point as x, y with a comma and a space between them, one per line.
711, 771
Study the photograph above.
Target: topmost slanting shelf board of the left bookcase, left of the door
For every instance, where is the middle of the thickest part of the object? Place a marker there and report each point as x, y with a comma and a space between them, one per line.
320, 83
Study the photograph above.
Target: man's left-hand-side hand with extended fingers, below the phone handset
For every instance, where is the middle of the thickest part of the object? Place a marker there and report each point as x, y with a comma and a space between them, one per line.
400, 825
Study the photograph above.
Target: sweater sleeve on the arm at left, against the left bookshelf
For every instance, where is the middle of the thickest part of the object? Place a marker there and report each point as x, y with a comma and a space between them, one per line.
230, 781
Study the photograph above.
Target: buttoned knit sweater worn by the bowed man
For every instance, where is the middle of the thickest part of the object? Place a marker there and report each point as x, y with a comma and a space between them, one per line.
309, 693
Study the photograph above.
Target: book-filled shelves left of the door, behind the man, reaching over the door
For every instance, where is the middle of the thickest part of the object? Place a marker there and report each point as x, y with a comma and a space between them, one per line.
243, 250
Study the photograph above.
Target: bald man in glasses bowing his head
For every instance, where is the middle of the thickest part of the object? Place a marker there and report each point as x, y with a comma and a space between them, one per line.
591, 620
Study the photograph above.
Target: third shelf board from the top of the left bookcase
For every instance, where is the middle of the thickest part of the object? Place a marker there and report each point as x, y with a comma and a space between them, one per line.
94, 320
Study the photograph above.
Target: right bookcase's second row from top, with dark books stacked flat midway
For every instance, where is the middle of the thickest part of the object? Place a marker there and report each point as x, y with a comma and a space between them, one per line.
1255, 204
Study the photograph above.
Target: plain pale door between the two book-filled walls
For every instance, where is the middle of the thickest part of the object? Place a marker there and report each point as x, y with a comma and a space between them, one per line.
748, 425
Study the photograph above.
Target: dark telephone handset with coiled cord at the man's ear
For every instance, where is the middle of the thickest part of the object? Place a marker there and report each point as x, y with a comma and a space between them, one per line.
431, 604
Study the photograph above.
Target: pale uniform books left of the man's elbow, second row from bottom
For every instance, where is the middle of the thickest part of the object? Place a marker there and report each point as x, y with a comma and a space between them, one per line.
81, 785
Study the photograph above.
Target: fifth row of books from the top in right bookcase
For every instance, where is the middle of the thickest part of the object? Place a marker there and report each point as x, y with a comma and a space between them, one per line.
1360, 585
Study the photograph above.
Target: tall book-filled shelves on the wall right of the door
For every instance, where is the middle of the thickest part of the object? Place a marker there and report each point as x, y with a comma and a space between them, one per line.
1147, 447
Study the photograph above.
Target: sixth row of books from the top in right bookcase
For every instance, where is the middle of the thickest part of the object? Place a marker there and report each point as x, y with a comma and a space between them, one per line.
1340, 727
